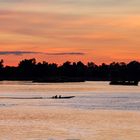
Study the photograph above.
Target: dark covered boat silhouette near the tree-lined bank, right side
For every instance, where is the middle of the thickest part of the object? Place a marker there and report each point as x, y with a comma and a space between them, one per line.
125, 83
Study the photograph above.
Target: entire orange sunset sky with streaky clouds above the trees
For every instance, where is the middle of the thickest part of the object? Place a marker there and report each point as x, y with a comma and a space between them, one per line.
73, 30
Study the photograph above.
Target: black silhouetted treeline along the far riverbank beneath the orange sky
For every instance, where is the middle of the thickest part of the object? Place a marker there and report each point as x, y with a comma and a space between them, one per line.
32, 70
